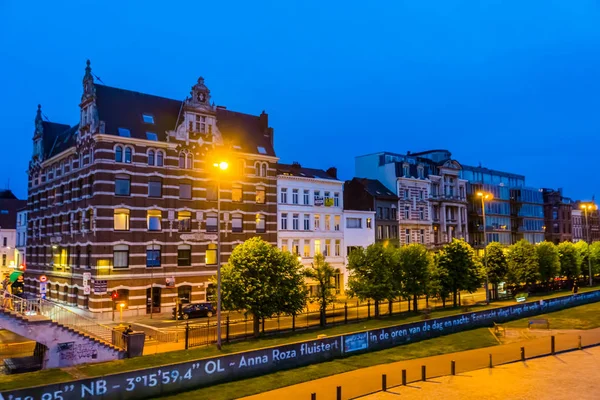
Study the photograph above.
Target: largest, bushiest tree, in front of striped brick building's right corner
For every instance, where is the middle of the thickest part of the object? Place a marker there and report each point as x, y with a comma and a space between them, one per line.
262, 280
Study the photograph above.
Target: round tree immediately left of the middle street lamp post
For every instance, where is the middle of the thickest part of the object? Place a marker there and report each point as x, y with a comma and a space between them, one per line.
458, 269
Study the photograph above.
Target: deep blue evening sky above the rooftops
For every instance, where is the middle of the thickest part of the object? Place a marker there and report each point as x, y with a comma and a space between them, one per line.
511, 84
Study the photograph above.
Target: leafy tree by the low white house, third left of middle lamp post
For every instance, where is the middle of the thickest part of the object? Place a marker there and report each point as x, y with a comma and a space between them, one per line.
372, 274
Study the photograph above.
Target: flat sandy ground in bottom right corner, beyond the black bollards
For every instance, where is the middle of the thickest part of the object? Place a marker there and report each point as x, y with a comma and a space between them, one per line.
574, 375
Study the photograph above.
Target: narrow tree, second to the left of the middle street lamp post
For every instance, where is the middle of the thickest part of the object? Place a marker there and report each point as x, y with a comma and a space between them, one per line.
414, 261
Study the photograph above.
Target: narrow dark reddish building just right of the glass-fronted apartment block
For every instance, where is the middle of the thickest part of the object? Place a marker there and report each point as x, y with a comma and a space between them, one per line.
558, 221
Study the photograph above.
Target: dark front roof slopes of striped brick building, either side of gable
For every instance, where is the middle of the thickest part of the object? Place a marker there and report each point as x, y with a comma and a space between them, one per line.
120, 108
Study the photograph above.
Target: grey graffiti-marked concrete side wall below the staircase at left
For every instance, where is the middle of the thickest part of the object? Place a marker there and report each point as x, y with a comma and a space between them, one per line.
65, 348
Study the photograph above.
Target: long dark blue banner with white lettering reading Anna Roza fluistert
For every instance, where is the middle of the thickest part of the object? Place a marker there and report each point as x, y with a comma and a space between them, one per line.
170, 379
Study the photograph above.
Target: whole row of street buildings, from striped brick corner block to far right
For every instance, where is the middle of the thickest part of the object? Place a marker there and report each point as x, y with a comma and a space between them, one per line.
137, 196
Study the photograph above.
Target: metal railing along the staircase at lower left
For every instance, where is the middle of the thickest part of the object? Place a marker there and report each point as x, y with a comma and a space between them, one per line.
61, 316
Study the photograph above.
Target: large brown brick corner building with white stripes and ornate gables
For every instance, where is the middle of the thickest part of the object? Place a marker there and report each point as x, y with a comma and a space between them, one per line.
132, 197
